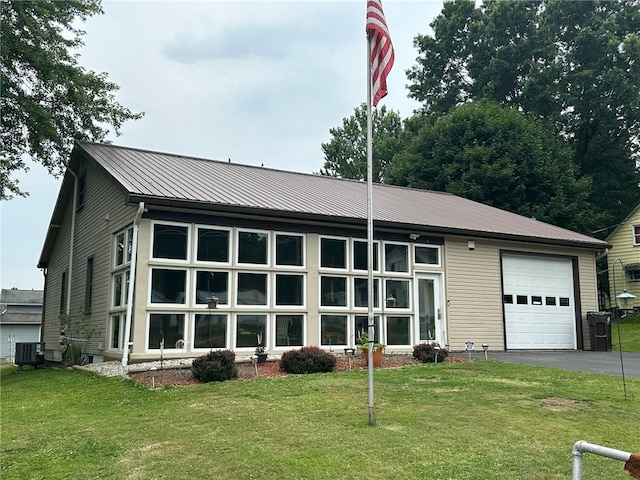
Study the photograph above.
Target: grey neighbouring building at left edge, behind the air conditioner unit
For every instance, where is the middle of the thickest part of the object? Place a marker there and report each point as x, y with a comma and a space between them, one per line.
20, 319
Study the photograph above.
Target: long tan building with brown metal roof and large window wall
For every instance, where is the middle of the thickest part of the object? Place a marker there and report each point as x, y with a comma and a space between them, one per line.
139, 241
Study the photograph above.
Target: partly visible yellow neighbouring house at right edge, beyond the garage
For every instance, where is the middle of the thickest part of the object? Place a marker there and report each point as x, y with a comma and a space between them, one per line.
623, 260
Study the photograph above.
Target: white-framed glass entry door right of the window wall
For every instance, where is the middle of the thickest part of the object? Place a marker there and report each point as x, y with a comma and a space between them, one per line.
430, 310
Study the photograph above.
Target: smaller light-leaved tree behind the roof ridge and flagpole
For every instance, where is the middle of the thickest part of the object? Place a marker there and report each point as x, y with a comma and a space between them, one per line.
346, 153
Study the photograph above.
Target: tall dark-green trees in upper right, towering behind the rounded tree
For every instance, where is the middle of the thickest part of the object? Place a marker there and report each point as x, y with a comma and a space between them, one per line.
576, 64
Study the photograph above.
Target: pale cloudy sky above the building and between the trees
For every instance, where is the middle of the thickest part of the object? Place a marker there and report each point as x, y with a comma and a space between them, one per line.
257, 82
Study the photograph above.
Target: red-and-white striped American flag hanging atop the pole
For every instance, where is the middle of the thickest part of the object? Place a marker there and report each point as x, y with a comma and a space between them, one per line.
380, 48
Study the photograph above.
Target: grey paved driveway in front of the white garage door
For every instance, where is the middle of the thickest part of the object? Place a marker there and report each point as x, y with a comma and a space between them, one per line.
595, 362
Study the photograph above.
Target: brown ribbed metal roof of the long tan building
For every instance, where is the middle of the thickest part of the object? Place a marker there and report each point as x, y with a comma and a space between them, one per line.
155, 177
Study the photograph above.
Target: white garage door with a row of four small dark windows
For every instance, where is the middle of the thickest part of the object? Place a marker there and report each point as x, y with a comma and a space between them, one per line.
538, 302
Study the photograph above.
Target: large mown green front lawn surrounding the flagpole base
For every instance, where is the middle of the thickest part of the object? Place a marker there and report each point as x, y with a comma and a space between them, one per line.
475, 420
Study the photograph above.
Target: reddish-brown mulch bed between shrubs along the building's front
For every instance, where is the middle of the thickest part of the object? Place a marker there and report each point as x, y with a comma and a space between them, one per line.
246, 371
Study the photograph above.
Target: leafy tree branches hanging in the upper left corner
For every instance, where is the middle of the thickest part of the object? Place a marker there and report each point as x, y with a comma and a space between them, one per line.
48, 100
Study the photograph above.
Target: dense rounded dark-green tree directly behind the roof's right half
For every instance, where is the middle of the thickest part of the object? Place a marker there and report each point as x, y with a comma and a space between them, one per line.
498, 156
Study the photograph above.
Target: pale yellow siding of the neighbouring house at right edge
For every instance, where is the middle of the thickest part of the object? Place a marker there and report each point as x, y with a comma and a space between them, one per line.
624, 251
